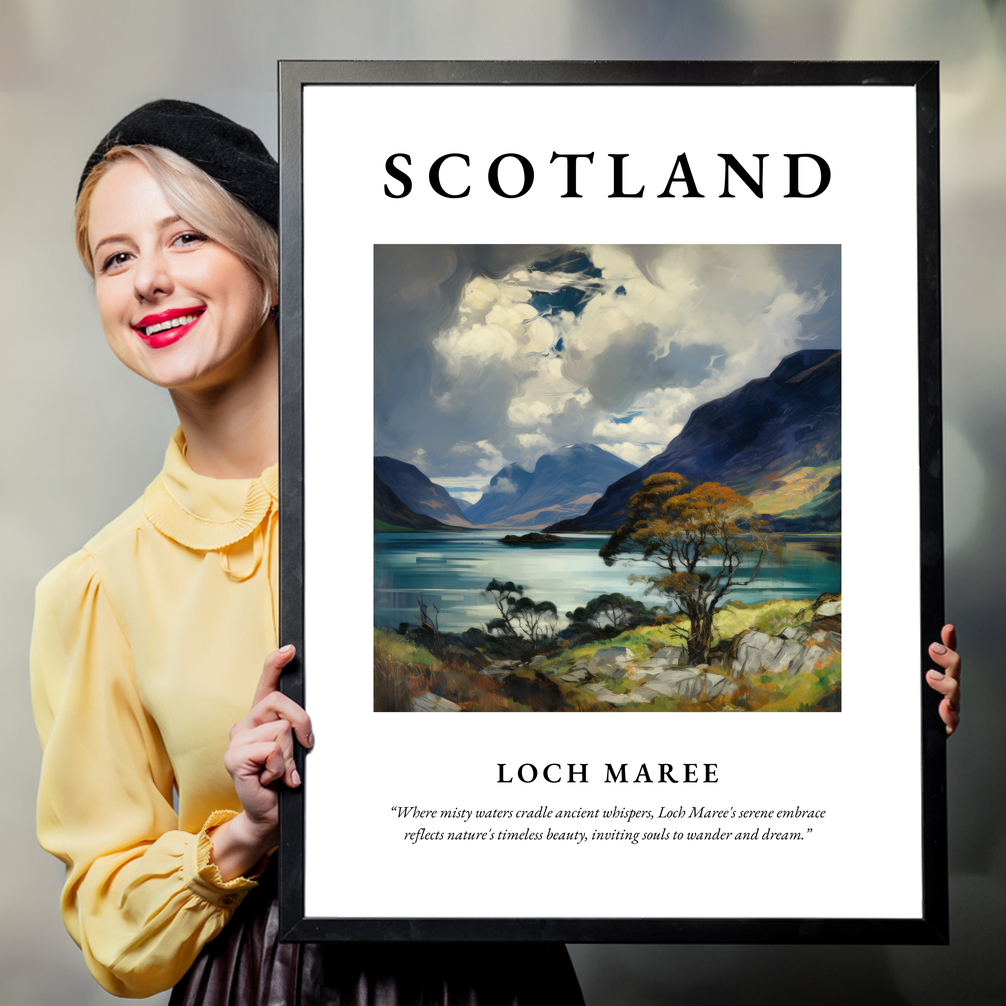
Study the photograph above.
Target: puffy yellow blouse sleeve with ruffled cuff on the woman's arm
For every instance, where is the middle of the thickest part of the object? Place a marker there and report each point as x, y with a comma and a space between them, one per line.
141, 898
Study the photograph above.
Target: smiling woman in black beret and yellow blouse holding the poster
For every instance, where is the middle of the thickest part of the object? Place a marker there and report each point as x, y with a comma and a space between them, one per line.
148, 643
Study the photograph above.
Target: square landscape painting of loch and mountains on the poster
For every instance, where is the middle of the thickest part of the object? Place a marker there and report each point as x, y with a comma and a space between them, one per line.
608, 478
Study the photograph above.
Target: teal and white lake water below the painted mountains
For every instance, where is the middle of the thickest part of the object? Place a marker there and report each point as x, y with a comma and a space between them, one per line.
453, 569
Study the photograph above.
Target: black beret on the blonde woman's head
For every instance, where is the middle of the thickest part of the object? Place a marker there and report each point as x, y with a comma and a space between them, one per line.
229, 153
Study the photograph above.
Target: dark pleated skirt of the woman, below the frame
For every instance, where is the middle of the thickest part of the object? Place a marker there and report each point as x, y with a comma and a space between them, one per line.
248, 966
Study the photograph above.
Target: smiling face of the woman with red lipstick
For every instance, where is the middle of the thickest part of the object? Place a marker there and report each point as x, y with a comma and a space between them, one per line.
178, 308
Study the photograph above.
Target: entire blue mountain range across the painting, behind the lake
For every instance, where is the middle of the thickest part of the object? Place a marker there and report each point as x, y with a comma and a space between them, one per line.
778, 441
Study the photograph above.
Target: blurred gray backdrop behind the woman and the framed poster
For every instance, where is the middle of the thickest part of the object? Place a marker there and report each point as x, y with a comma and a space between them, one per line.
82, 437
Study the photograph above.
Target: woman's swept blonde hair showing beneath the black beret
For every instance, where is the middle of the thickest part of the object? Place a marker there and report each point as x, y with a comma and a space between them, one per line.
201, 202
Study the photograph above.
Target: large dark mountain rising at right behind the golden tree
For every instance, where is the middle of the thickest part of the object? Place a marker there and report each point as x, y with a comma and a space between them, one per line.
778, 441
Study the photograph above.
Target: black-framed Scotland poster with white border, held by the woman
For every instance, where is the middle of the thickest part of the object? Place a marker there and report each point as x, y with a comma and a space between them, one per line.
650, 354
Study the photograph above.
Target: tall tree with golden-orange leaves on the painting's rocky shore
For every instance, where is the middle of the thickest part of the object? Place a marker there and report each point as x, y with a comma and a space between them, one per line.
699, 541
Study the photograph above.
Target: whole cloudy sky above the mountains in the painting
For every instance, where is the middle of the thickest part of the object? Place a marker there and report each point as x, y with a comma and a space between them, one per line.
492, 355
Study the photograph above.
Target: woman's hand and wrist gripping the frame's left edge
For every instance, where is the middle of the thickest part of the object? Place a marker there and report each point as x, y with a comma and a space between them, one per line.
261, 753
